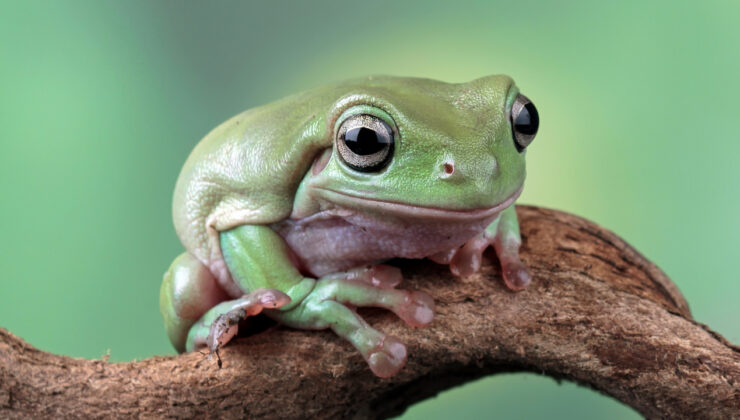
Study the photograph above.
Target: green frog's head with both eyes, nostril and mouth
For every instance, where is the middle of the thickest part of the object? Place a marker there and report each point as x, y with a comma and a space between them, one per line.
426, 148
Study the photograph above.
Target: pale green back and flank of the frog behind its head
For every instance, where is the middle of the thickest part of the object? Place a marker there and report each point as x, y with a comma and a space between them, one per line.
245, 171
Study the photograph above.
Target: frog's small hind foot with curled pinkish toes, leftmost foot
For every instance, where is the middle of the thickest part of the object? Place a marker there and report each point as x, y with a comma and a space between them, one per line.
221, 323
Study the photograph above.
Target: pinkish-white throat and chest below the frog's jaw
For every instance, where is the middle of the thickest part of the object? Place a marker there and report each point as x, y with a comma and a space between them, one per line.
335, 242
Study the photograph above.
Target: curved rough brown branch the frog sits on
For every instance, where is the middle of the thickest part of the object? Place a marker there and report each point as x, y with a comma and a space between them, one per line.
596, 313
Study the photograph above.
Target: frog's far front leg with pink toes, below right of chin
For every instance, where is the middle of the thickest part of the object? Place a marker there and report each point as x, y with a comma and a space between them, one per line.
503, 234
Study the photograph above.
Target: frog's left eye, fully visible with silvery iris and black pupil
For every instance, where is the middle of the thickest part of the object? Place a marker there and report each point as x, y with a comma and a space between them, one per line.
365, 142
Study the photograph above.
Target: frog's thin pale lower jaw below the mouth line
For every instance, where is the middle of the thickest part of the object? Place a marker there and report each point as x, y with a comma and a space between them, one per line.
401, 209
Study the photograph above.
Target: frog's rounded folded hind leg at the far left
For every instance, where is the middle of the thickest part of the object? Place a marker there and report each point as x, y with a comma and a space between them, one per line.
188, 291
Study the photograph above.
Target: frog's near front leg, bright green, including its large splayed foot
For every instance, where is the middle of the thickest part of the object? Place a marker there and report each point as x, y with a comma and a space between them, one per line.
257, 257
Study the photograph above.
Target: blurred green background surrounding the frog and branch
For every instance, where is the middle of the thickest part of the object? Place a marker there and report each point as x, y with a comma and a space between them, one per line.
101, 102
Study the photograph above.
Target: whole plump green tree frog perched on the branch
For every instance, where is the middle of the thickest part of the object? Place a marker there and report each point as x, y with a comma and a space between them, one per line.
293, 208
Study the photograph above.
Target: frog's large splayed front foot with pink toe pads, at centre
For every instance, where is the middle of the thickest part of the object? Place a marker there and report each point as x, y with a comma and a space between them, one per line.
331, 305
